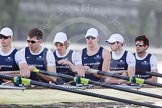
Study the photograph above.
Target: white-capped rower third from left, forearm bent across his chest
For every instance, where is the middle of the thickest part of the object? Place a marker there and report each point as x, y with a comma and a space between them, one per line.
67, 61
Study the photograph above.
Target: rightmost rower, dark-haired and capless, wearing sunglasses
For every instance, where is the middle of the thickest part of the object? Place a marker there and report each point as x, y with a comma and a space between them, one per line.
144, 61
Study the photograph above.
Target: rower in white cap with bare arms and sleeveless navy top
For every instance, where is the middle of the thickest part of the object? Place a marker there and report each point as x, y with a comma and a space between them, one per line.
95, 56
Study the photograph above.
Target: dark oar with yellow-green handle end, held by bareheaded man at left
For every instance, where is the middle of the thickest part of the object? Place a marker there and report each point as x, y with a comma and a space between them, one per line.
87, 81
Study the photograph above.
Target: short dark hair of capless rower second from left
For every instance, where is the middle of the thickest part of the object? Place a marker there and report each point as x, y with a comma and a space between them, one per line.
35, 32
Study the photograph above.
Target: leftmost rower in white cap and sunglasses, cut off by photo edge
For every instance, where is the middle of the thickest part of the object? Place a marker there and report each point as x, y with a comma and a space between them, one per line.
10, 59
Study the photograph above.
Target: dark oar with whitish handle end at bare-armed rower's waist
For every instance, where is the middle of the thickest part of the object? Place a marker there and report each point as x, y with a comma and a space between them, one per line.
131, 79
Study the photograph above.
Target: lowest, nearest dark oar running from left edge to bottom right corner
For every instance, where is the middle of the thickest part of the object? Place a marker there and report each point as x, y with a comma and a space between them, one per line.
19, 80
